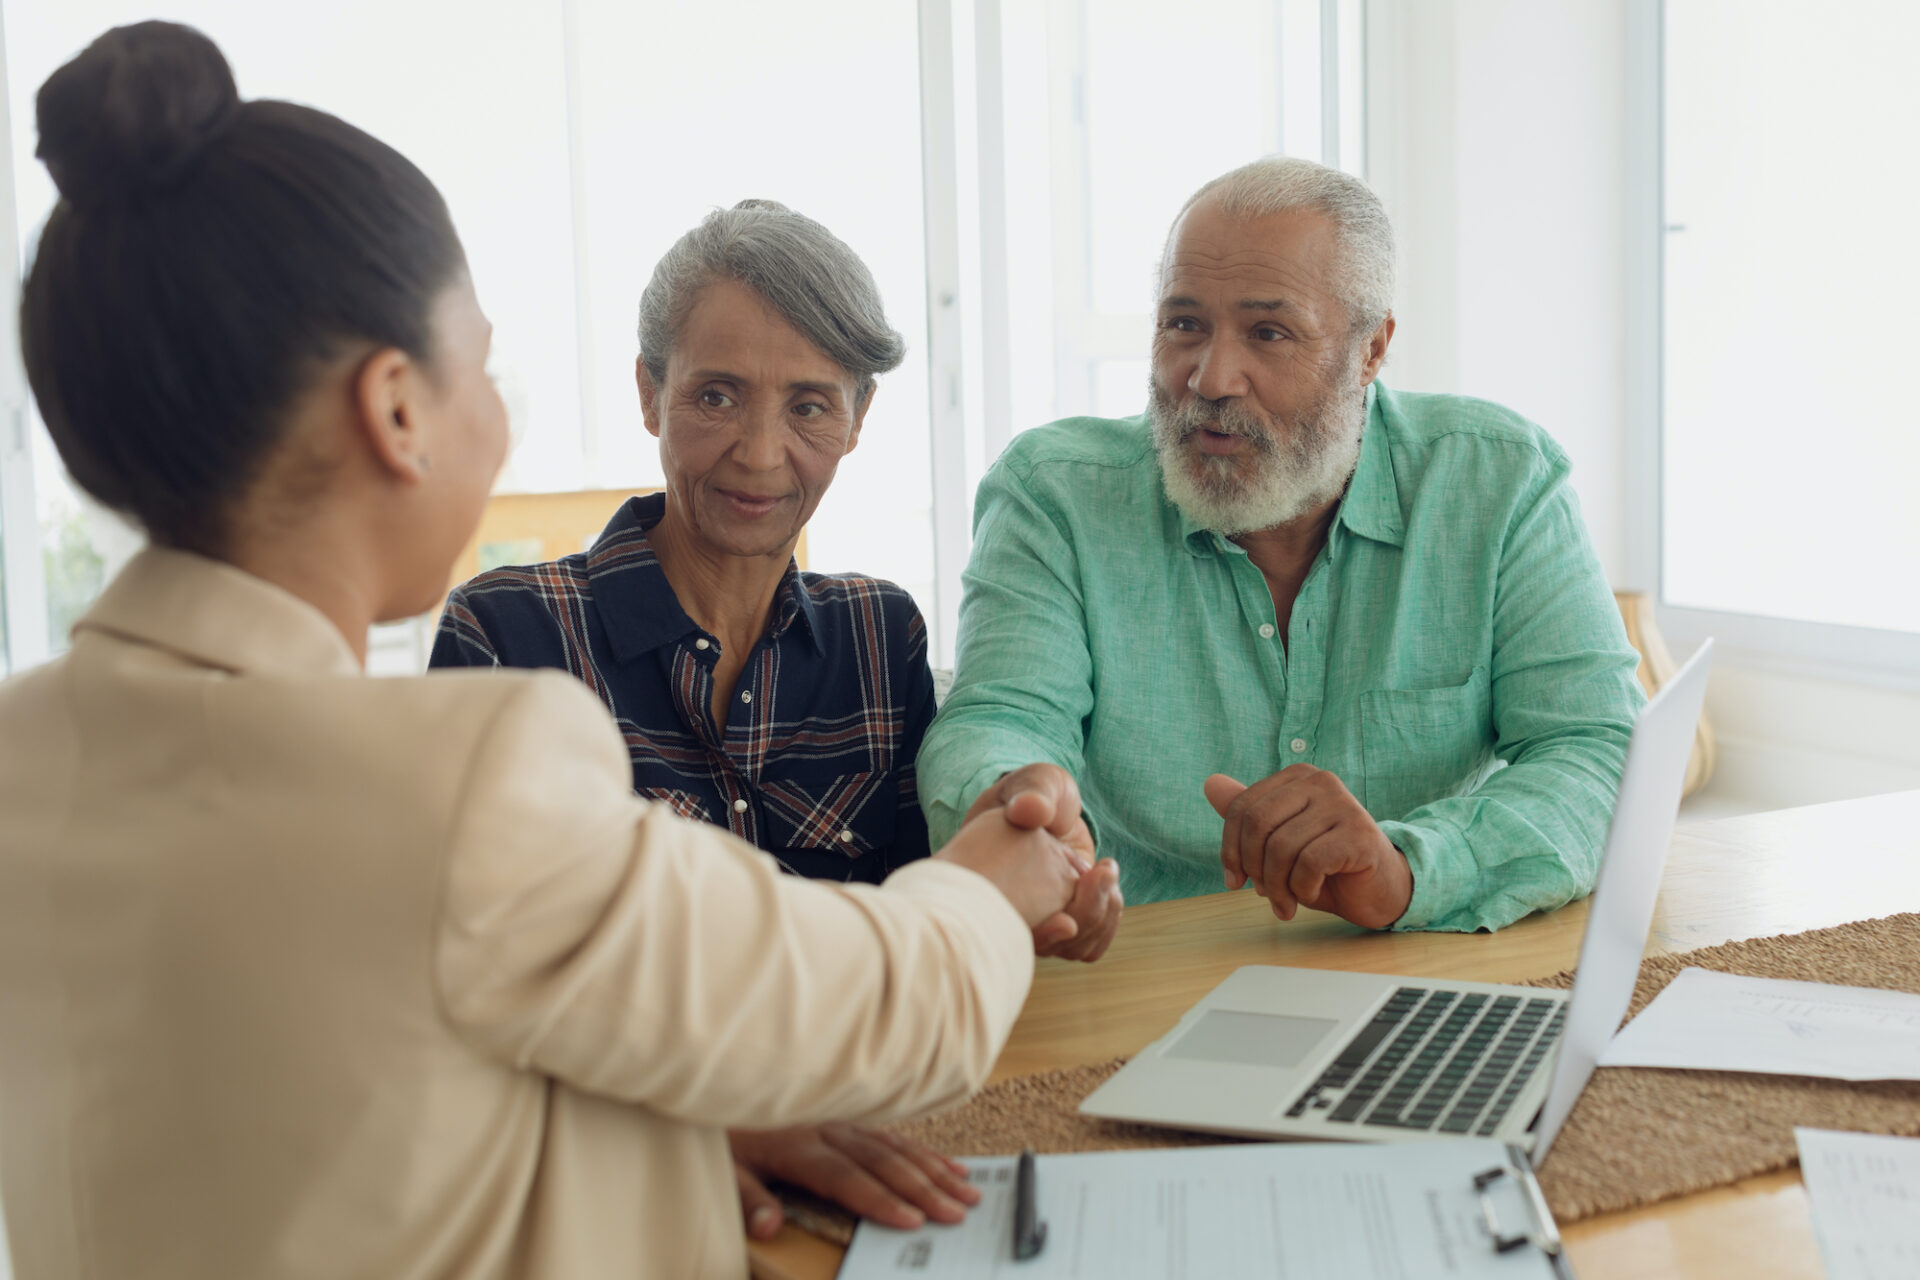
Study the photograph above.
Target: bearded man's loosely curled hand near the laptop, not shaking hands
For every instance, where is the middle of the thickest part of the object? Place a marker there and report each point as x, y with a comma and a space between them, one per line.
1303, 840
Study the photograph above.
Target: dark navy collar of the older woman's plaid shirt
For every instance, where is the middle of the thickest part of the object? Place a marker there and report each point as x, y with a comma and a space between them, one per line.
638, 605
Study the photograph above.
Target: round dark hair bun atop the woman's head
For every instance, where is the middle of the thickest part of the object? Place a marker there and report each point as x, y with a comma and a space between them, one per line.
133, 110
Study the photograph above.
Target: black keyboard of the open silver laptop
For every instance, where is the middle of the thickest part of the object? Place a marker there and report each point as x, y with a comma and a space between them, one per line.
1452, 1062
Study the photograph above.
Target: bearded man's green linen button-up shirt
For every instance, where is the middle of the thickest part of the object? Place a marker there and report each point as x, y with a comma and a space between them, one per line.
1454, 657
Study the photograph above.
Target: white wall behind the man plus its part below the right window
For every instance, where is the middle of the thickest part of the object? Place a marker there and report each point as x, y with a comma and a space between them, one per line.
1499, 141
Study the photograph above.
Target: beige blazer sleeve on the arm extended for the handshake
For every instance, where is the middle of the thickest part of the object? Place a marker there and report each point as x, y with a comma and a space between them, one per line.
608, 943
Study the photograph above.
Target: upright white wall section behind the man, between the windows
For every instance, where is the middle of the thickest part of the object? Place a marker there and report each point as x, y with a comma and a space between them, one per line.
1504, 176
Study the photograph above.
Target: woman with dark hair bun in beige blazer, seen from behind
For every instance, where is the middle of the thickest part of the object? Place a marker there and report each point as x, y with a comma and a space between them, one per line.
306, 974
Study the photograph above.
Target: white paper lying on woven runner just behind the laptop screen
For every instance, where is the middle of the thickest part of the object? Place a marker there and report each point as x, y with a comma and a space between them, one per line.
1723, 1022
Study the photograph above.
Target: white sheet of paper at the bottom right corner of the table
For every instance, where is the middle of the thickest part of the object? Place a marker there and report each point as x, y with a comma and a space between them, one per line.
1865, 1193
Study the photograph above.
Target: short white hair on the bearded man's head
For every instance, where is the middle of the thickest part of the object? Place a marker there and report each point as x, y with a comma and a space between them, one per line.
1366, 237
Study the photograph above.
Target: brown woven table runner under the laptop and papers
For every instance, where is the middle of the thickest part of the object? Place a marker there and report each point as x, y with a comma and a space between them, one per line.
1637, 1135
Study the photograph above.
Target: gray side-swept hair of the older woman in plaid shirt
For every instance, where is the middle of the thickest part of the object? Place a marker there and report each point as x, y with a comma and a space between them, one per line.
798, 266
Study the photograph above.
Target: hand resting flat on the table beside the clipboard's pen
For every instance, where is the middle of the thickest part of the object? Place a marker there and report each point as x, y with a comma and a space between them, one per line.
878, 1175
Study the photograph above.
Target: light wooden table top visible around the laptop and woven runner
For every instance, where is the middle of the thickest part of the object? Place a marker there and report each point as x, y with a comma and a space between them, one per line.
1740, 878
